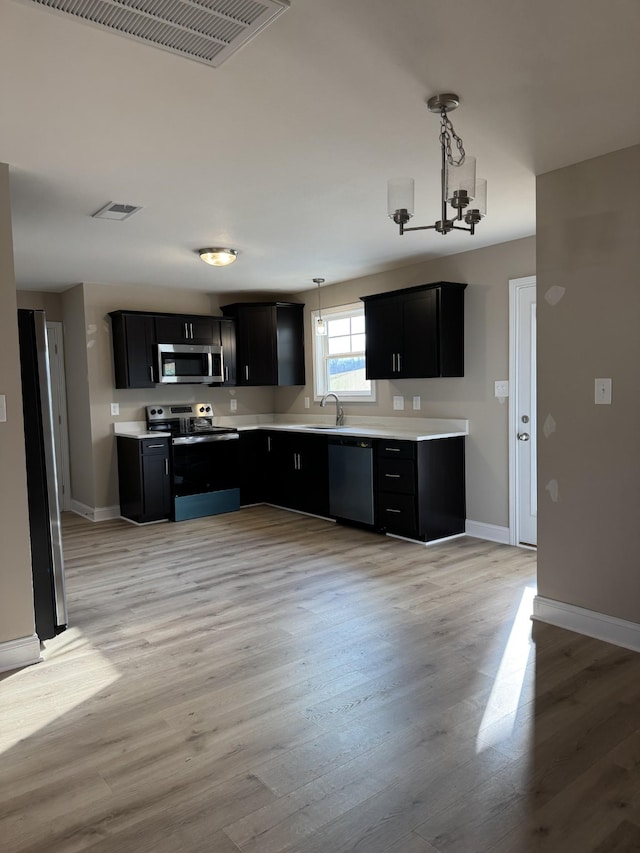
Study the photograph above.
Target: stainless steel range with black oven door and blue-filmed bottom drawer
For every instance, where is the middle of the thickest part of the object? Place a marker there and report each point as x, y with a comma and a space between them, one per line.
204, 459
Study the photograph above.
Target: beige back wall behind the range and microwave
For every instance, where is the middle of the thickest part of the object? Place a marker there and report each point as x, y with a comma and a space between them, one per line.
90, 359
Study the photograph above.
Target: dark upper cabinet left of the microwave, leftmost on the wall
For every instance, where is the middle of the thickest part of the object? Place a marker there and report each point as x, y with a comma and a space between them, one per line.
133, 336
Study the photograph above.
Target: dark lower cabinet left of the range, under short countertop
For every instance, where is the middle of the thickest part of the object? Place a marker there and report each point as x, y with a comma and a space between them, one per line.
144, 480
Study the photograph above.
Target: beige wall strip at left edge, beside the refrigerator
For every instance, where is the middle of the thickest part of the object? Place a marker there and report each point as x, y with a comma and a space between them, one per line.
16, 597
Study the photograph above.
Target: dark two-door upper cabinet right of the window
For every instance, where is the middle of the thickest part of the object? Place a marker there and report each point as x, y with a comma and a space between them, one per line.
415, 333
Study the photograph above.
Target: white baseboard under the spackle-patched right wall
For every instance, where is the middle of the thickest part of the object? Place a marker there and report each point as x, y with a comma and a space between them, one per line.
588, 622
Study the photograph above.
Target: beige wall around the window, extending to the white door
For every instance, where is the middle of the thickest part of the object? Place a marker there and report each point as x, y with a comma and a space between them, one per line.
487, 273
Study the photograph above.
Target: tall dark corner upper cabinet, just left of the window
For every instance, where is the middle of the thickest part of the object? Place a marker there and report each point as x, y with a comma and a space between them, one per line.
270, 342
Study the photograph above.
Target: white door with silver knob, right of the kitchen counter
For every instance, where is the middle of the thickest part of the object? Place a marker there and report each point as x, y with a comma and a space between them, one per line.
523, 437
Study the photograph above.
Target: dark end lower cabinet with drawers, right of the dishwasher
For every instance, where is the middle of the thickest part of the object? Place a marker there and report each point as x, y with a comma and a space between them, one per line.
420, 487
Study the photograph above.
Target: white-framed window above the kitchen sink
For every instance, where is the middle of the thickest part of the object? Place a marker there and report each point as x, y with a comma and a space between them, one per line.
338, 356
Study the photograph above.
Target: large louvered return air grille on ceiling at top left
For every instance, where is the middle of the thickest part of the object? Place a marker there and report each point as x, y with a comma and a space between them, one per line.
208, 31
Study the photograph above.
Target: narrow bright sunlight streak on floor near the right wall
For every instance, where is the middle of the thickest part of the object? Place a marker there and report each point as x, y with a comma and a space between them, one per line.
500, 714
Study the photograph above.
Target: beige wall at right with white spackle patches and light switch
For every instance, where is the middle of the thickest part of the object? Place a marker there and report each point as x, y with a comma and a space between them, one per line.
588, 245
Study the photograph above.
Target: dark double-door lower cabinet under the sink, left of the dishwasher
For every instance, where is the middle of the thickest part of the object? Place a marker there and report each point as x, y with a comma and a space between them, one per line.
298, 472
